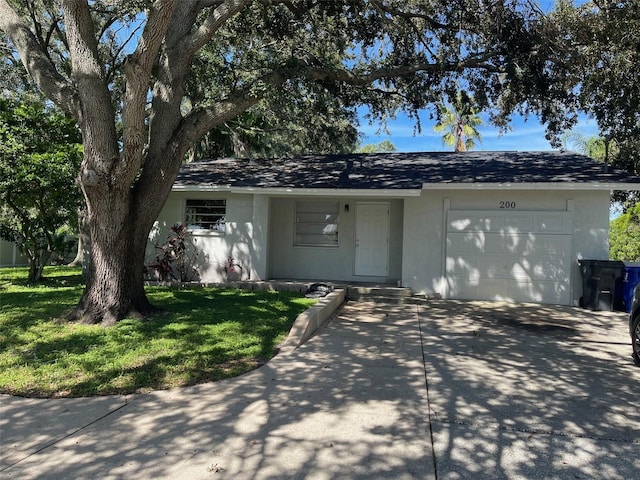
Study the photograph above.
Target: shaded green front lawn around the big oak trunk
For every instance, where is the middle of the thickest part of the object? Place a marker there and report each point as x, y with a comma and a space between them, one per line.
208, 334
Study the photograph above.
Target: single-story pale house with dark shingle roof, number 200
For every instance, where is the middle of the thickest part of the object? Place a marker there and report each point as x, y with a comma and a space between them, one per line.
470, 225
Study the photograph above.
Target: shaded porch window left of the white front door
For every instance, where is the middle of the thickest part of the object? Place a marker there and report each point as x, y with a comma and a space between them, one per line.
317, 224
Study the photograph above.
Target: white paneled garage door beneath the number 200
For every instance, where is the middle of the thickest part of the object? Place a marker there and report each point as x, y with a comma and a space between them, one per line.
507, 255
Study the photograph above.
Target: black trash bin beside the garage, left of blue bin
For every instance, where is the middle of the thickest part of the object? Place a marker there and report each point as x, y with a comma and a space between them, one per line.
601, 281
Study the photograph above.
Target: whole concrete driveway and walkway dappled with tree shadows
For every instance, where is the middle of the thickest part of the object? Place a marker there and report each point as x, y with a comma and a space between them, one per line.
449, 390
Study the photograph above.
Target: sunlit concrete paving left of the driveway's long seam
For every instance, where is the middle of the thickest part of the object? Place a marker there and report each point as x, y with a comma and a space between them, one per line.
350, 403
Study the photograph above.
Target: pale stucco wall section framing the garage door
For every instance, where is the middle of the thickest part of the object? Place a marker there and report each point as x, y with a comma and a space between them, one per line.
424, 226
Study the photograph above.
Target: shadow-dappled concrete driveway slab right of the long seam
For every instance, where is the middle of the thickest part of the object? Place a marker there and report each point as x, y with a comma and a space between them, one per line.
531, 391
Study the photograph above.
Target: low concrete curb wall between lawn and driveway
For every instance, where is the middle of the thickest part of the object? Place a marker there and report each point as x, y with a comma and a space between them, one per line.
311, 319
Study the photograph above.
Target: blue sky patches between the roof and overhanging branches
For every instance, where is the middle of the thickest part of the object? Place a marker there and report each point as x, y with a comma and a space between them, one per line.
525, 135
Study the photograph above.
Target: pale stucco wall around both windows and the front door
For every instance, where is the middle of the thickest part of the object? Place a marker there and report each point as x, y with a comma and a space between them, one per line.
259, 234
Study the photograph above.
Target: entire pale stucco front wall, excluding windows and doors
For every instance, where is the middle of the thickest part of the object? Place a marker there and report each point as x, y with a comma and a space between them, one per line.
260, 234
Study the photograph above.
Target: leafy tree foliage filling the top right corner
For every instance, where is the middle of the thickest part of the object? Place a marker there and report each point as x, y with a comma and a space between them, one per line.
597, 53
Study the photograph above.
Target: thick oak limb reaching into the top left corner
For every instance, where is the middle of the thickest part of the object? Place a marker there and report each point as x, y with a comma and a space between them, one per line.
36, 61
